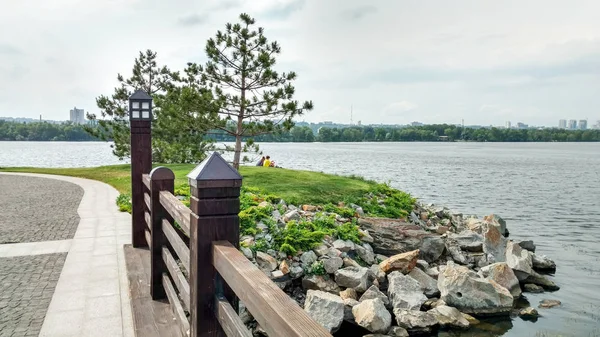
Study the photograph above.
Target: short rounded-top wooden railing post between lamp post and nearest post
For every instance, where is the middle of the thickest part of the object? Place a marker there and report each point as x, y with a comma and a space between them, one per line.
161, 179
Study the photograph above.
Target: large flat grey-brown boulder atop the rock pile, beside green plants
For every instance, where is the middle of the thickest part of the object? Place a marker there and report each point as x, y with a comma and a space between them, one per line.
393, 236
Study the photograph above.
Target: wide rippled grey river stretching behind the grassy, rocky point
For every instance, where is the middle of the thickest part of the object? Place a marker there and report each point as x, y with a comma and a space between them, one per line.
547, 192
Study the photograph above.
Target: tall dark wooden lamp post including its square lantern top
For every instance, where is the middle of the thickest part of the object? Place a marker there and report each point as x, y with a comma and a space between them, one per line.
140, 122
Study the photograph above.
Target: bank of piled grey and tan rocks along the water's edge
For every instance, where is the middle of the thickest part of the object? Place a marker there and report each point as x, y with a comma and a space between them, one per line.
435, 269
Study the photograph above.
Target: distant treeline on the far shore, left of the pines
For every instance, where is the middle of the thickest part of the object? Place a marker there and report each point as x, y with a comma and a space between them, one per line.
43, 132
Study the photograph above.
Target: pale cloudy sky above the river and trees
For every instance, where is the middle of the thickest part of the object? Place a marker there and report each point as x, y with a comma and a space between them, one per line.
389, 61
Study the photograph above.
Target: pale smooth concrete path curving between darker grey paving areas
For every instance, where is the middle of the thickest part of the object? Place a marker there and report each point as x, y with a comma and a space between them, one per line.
91, 297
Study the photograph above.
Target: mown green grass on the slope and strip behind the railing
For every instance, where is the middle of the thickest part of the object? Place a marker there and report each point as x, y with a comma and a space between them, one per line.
290, 185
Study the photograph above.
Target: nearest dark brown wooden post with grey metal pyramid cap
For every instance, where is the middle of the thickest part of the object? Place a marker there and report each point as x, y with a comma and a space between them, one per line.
215, 203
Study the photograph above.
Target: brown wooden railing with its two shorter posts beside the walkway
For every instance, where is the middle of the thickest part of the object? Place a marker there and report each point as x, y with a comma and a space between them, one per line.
196, 264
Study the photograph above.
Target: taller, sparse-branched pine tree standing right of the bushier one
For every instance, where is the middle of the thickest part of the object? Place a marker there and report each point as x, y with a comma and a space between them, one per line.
253, 98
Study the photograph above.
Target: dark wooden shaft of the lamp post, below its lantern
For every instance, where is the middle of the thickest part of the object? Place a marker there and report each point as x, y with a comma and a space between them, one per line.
141, 163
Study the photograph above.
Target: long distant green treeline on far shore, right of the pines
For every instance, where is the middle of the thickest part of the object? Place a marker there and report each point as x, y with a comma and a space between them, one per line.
434, 132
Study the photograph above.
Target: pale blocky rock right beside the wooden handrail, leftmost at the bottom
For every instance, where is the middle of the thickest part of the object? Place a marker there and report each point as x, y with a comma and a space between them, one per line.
325, 308
